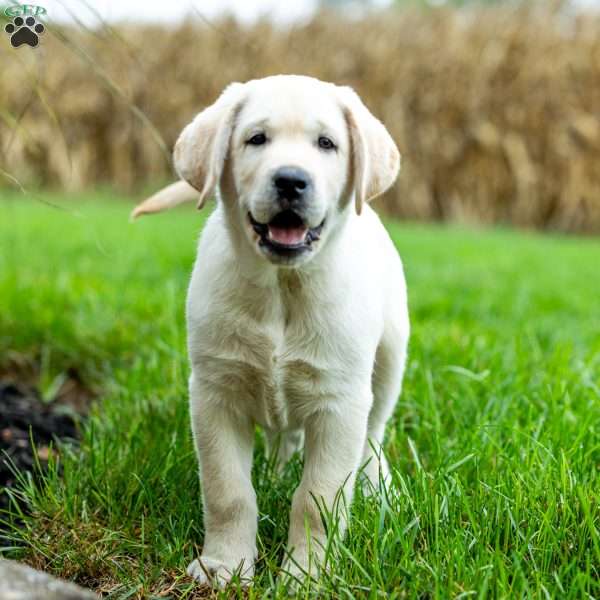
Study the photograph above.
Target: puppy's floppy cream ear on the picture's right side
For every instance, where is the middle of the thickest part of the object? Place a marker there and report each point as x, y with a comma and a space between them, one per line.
375, 156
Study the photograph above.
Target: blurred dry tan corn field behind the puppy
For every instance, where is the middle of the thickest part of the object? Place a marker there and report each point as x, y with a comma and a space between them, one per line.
496, 112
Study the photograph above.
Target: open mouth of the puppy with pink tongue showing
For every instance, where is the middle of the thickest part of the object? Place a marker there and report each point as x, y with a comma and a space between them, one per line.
286, 233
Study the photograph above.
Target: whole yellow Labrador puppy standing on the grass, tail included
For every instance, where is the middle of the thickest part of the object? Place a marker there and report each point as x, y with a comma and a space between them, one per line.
296, 312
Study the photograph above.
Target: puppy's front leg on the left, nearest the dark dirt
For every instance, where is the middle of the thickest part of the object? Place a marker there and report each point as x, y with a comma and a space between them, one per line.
224, 441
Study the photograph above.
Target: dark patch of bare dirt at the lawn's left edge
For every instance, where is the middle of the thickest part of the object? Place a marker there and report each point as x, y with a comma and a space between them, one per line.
29, 424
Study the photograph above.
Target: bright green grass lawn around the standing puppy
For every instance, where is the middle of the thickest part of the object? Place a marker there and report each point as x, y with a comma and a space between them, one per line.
495, 442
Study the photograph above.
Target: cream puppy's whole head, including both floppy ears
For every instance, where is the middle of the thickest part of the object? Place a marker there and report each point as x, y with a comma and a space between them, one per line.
289, 153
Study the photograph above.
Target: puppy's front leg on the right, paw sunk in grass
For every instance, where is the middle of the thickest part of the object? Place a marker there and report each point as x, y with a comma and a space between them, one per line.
333, 446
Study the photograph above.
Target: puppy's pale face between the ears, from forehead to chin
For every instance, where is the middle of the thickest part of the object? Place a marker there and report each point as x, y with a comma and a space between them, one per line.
289, 153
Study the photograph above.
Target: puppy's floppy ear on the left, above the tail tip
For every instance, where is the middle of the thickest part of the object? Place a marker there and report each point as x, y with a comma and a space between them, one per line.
202, 147
